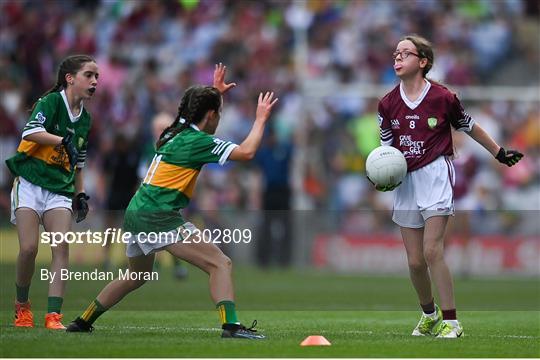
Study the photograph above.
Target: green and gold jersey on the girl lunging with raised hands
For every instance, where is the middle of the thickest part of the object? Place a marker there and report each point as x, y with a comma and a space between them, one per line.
170, 180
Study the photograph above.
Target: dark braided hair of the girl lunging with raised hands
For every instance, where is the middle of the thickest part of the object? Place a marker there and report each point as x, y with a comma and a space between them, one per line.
197, 100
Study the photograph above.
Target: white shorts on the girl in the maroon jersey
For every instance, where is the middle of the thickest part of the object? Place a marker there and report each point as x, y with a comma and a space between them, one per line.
424, 193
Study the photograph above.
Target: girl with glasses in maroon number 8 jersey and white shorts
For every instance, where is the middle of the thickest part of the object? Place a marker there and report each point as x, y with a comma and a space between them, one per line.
416, 117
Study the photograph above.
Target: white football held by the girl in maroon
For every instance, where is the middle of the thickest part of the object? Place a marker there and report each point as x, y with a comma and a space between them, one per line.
386, 165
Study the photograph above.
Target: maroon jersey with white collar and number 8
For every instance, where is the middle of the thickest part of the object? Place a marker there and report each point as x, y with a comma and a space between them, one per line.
420, 129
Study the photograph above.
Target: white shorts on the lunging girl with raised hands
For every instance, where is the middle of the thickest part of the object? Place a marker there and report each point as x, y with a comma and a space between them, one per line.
149, 243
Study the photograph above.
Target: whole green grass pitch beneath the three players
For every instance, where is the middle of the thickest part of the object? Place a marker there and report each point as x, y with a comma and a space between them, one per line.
361, 316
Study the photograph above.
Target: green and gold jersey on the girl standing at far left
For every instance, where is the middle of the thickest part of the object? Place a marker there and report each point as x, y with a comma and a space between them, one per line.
48, 165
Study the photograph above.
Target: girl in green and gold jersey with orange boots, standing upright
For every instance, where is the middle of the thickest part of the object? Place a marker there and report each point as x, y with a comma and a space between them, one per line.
48, 182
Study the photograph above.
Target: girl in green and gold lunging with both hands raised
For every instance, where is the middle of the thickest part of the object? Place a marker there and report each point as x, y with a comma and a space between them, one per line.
182, 150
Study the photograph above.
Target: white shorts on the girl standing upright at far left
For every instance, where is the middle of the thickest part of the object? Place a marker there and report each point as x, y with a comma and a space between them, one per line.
27, 195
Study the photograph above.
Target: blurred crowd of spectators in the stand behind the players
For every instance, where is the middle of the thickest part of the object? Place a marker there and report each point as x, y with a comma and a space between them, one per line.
150, 51
